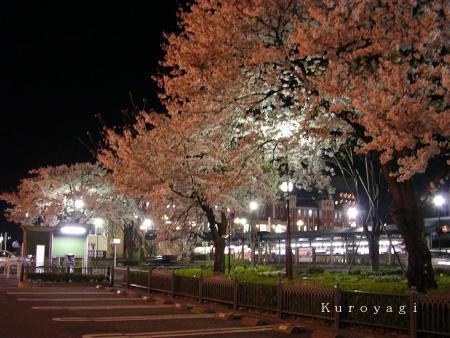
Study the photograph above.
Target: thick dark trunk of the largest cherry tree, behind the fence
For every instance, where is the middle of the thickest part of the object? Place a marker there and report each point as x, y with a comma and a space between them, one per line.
407, 215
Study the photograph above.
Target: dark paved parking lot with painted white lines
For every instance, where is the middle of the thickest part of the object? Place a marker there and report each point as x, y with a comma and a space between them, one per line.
90, 312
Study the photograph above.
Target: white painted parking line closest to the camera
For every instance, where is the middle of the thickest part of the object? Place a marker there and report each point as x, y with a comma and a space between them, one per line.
182, 333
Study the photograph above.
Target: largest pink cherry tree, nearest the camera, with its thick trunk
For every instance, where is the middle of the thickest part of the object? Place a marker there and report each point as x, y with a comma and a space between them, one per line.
375, 71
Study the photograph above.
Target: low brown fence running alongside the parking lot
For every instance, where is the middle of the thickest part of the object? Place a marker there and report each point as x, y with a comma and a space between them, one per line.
421, 315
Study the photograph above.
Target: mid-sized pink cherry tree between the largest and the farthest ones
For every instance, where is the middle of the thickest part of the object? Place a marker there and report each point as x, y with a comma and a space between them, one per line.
190, 173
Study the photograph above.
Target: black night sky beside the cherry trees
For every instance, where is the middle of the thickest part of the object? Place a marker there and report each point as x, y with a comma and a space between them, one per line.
64, 63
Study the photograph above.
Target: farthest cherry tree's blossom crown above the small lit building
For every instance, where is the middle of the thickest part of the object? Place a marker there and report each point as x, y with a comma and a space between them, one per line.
70, 193
